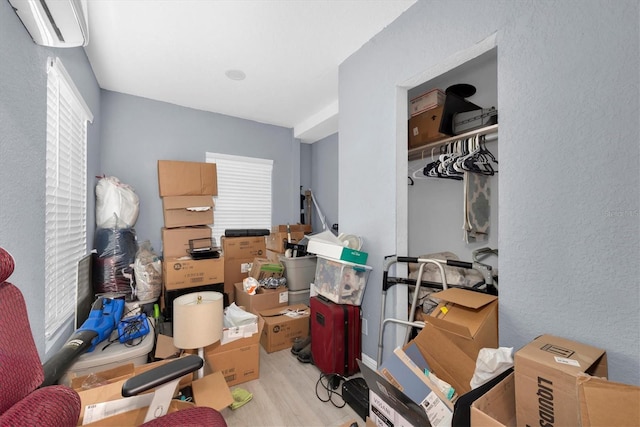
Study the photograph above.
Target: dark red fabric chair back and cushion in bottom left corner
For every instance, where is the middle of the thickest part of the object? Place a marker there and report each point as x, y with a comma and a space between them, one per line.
22, 402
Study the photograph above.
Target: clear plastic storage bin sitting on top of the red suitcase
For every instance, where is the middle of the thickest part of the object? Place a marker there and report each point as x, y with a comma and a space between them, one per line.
340, 281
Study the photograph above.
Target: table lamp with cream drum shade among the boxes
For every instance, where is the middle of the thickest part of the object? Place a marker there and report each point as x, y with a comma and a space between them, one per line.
197, 321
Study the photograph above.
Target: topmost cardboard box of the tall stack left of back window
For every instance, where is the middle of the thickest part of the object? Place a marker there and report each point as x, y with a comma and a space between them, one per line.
176, 178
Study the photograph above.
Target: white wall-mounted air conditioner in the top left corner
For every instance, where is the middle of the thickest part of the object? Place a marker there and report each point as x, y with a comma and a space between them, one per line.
55, 23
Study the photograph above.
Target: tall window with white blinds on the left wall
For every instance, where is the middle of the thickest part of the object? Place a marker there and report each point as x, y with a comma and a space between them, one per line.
66, 194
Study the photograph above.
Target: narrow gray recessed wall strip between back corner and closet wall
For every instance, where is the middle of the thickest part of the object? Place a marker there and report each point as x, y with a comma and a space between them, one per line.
324, 180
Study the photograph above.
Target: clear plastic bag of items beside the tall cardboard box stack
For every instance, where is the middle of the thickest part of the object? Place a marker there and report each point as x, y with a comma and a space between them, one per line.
148, 273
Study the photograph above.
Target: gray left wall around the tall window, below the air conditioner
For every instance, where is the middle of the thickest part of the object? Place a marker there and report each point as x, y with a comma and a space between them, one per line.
23, 95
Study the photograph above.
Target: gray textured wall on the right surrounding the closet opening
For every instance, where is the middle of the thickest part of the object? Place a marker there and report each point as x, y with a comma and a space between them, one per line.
569, 159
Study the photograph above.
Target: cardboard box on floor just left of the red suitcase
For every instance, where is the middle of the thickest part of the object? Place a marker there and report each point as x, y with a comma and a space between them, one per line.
280, 330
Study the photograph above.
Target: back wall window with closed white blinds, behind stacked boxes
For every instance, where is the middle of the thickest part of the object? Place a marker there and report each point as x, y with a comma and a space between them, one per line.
244, 193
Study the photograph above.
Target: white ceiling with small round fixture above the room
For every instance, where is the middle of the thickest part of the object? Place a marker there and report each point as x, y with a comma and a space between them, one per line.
178, 51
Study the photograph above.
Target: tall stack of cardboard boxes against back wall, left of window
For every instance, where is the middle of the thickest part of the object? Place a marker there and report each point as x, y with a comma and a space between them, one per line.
187, 190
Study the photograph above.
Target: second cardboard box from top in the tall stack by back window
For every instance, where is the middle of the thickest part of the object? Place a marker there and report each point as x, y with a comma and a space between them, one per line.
184, 211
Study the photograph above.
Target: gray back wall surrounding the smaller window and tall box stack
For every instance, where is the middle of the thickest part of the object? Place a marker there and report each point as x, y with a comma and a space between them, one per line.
141, 131
